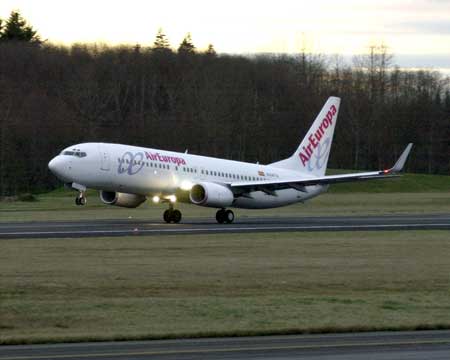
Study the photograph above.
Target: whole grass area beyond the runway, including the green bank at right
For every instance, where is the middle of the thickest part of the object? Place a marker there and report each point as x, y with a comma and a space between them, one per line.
412, 193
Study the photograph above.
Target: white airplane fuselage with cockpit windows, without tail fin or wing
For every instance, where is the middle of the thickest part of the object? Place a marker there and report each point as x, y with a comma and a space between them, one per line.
152, 172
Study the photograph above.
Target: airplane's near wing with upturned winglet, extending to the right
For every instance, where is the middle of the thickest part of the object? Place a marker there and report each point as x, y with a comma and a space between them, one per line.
299, 184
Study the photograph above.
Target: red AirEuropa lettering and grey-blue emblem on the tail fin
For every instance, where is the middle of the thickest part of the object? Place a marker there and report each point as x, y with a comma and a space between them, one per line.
318, 147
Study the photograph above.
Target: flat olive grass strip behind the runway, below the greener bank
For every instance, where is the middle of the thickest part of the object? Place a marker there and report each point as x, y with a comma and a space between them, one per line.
50, 207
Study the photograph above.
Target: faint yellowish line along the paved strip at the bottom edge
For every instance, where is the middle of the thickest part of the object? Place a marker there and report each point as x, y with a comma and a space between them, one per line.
231, 350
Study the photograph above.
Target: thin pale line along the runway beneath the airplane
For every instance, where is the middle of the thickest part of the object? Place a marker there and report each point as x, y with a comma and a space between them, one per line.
226, 228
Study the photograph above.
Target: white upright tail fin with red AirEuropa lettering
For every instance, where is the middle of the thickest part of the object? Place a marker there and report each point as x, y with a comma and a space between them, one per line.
312, 155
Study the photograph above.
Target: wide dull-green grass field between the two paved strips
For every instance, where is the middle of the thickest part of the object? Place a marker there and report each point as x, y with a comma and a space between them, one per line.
151, 287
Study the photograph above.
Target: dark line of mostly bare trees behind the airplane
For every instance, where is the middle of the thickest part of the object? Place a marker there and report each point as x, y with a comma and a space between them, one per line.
252, 108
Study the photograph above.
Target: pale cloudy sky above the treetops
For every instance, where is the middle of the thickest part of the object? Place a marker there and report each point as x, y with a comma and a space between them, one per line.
417, 32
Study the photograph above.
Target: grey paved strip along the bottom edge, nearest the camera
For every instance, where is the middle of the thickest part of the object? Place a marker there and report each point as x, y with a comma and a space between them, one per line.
430, 345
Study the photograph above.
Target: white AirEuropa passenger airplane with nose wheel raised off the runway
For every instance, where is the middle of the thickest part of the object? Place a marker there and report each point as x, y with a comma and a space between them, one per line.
127, 175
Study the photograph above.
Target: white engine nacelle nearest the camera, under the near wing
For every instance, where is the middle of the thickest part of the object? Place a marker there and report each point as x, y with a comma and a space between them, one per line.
211, 195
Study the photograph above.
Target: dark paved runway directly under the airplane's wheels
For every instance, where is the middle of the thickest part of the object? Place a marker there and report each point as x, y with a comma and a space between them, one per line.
127, 227
